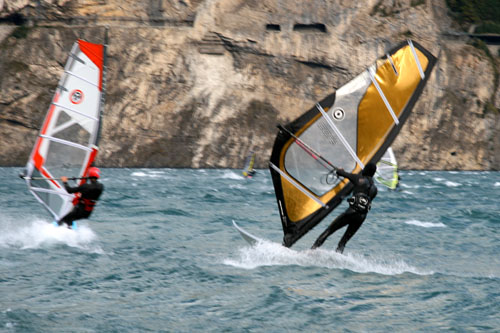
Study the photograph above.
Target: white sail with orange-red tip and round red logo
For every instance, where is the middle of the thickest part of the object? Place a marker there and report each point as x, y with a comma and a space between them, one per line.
67, 142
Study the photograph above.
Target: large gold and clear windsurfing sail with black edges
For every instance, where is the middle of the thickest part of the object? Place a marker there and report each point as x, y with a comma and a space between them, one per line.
348, 128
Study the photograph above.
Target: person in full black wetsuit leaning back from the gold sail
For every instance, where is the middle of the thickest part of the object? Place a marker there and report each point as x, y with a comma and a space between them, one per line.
364, 192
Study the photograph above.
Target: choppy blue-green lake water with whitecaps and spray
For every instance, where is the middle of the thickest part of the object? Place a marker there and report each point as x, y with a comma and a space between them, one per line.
160, 255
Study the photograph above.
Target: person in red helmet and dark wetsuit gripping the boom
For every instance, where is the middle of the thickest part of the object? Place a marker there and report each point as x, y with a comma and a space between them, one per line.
87, 196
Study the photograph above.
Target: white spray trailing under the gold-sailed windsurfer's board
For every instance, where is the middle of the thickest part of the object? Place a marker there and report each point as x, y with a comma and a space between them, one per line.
267, 253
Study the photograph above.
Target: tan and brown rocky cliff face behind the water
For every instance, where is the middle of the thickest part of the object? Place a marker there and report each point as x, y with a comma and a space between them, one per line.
201, 83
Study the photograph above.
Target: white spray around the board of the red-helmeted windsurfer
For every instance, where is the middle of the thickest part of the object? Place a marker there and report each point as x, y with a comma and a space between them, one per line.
40, 234
